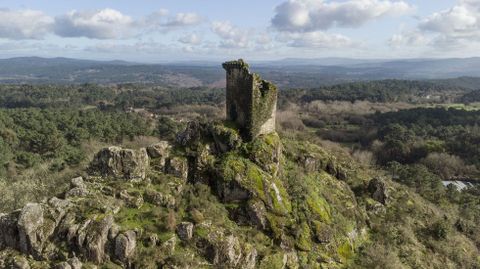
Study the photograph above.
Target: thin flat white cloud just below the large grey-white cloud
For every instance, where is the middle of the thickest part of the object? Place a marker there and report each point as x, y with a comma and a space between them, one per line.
317, 39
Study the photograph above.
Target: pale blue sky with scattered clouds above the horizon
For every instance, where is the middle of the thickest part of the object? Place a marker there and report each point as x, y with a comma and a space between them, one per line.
197, 30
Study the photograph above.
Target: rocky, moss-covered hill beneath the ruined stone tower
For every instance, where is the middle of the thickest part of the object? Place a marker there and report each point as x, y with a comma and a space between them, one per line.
218, 199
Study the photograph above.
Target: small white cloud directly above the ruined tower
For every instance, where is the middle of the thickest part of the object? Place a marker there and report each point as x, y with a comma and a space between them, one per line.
232, 36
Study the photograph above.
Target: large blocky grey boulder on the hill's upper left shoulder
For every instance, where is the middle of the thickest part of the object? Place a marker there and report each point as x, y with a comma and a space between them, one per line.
122, 163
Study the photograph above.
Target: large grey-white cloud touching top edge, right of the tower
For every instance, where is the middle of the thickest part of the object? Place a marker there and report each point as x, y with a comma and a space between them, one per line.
314, 15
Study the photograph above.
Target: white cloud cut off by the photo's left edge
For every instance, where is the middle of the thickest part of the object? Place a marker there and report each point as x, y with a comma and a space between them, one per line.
24, 24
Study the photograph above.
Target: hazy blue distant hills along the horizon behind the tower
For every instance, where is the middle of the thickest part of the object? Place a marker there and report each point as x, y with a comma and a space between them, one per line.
287, 73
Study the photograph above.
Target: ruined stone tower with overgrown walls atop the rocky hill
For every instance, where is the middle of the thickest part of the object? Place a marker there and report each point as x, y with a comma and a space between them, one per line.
251, 101
